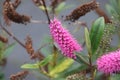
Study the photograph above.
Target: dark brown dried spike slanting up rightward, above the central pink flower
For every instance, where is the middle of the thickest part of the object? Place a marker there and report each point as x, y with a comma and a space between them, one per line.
82, 10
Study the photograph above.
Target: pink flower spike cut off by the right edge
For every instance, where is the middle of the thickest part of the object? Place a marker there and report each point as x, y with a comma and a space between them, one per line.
109, 63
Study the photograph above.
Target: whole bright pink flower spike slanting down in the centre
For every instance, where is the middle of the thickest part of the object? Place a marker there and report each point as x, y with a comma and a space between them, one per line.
64, 39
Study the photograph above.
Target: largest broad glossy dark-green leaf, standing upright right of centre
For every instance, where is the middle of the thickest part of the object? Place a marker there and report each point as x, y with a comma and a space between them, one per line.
96, 33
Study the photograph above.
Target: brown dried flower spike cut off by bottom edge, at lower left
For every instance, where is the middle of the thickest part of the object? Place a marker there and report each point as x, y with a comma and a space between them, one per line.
19, 76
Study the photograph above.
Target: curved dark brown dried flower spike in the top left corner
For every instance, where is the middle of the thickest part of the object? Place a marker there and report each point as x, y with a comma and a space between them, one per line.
11, 15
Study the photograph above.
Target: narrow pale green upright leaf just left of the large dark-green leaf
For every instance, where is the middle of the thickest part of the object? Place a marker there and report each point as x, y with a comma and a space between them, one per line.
87, 40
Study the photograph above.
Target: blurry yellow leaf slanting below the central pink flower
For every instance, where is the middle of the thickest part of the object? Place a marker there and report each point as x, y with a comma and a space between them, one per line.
61, 67
